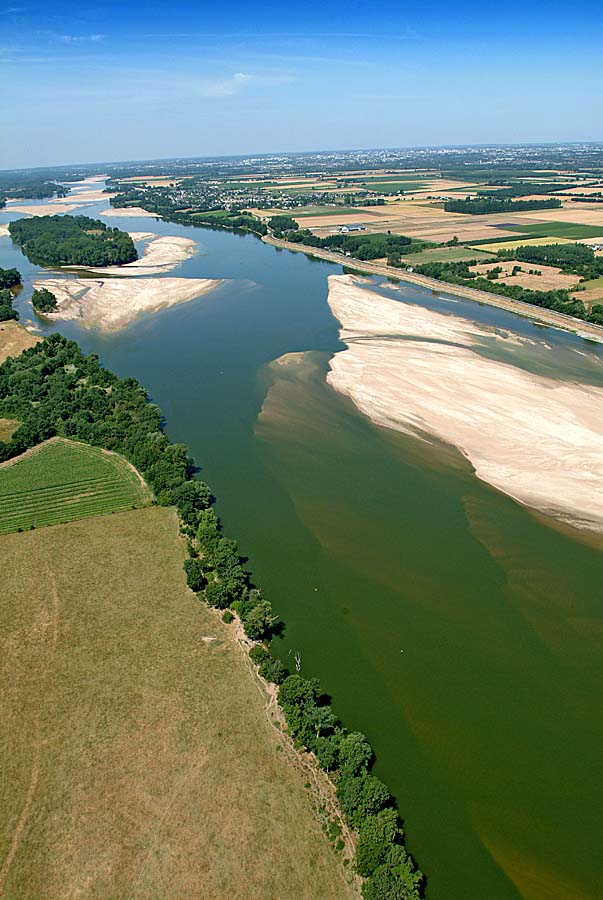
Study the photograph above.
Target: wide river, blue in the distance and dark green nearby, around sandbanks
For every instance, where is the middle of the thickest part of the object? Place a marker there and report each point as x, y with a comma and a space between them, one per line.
460, 632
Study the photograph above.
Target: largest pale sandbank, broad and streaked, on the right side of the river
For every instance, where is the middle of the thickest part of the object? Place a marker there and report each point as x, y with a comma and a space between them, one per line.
536, 439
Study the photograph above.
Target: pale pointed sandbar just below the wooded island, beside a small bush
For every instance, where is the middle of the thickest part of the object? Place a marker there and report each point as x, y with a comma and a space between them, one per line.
116, 302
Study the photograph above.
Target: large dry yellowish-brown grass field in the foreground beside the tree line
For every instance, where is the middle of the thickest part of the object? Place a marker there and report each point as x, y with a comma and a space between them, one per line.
137, 759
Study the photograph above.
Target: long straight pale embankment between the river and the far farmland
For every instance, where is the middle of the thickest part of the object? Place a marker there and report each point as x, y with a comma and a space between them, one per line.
536, 313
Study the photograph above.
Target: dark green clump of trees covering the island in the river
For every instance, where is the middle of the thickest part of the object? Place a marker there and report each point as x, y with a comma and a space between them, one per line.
72, 240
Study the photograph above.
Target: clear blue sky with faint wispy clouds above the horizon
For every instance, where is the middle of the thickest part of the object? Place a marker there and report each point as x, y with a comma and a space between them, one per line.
111, 81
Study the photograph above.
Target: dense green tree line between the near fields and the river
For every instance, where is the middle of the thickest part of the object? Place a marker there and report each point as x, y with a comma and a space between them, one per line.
54, 389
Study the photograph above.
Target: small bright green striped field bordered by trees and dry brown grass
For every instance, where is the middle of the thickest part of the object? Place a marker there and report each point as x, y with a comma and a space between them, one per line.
61, 481
